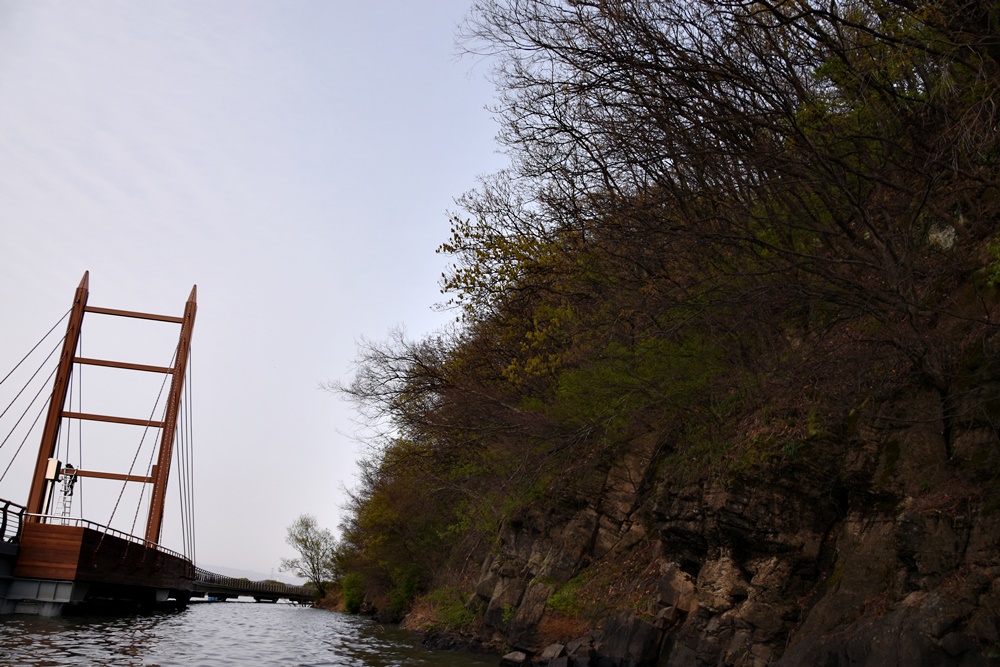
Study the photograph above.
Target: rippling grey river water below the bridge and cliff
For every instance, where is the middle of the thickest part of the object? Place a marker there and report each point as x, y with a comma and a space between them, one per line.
220, 634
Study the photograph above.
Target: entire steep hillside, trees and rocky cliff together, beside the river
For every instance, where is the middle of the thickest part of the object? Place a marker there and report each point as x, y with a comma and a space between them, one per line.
723, 384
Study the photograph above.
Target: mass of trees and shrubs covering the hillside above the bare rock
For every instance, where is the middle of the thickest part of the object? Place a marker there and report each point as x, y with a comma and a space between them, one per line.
724, 222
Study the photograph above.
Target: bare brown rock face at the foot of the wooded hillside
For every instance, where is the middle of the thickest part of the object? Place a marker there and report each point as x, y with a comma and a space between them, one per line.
880, 548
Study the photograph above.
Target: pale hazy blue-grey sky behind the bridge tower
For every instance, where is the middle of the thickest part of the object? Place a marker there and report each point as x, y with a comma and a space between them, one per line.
297, 160
